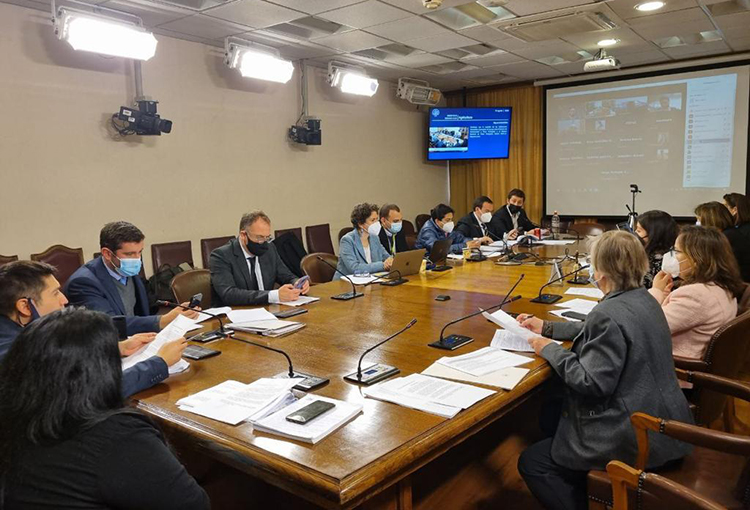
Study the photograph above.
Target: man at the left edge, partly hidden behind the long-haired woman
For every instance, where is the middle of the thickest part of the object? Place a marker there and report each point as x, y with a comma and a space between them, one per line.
29, 290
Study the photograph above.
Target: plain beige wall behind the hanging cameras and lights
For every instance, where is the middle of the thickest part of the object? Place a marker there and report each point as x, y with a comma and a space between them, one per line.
63, 175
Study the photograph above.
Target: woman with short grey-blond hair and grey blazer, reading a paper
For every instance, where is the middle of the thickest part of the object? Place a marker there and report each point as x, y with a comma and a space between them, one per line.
620, 363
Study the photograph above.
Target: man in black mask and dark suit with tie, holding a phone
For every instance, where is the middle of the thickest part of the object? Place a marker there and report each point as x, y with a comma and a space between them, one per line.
244, 271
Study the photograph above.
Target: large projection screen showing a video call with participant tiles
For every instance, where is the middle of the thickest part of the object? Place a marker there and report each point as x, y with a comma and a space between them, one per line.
682, 138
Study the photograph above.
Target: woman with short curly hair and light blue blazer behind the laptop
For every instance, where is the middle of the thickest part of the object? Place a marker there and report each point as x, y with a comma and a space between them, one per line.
361, 251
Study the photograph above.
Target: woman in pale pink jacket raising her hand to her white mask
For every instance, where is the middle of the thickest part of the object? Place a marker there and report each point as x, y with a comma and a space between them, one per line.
707, 298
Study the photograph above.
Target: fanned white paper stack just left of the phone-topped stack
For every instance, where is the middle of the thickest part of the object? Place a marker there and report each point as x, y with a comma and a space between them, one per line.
233, 402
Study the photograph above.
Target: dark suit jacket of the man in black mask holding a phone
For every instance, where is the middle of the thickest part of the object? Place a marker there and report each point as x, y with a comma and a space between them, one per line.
231, 281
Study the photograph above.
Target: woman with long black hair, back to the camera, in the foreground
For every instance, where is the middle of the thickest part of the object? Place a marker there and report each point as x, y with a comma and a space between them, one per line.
67, 440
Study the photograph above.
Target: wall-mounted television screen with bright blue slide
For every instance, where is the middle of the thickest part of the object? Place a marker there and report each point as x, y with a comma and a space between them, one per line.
468, 133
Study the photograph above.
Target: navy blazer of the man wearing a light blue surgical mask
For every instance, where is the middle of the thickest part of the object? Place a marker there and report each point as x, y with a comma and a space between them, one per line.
93, 287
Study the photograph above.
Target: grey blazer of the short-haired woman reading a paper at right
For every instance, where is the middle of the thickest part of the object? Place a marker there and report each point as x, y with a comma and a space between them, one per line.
620, 363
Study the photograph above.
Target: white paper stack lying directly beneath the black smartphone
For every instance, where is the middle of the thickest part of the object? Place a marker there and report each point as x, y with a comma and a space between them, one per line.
313, 431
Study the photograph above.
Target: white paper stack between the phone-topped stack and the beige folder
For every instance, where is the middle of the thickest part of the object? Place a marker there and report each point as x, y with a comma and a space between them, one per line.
429, 394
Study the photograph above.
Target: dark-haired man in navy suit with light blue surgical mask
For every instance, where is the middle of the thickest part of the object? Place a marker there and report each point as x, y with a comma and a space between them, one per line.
111, 284
